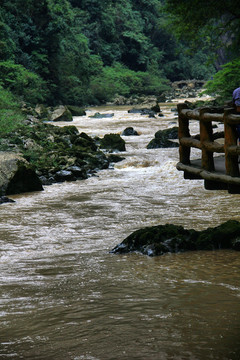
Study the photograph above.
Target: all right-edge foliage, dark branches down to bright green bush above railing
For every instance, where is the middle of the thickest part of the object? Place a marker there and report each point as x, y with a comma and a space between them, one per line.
214, 25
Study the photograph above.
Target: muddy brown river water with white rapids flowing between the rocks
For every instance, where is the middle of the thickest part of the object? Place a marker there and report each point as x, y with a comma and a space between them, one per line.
65, 297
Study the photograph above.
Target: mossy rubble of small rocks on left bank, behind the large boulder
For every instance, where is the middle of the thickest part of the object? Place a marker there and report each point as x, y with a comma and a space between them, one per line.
57, 153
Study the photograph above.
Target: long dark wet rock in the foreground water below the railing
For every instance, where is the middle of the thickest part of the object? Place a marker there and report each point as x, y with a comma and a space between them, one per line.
169, 238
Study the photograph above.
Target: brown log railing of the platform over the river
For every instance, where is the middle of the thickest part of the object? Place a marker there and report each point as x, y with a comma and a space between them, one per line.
229, 176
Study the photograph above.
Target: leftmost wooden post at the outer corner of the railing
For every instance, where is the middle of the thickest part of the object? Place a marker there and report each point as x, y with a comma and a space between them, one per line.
183, 131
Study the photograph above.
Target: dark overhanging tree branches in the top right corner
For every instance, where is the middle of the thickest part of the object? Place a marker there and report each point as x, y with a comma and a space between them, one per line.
210, 23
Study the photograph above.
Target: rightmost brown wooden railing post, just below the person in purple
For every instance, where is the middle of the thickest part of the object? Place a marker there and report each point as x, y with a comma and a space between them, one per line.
231, 159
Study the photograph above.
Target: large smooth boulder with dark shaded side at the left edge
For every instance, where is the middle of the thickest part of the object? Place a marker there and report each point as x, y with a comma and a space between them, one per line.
16, 175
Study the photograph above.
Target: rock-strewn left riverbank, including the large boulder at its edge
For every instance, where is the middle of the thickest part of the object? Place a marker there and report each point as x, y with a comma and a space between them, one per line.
39, 153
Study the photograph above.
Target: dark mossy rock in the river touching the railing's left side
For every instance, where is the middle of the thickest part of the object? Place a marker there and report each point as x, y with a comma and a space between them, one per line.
162, 137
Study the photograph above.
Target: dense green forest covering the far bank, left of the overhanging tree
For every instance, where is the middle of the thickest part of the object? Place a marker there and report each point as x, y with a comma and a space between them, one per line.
88, 51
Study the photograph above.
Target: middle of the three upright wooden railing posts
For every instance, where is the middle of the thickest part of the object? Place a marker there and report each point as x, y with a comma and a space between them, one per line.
206, 135
